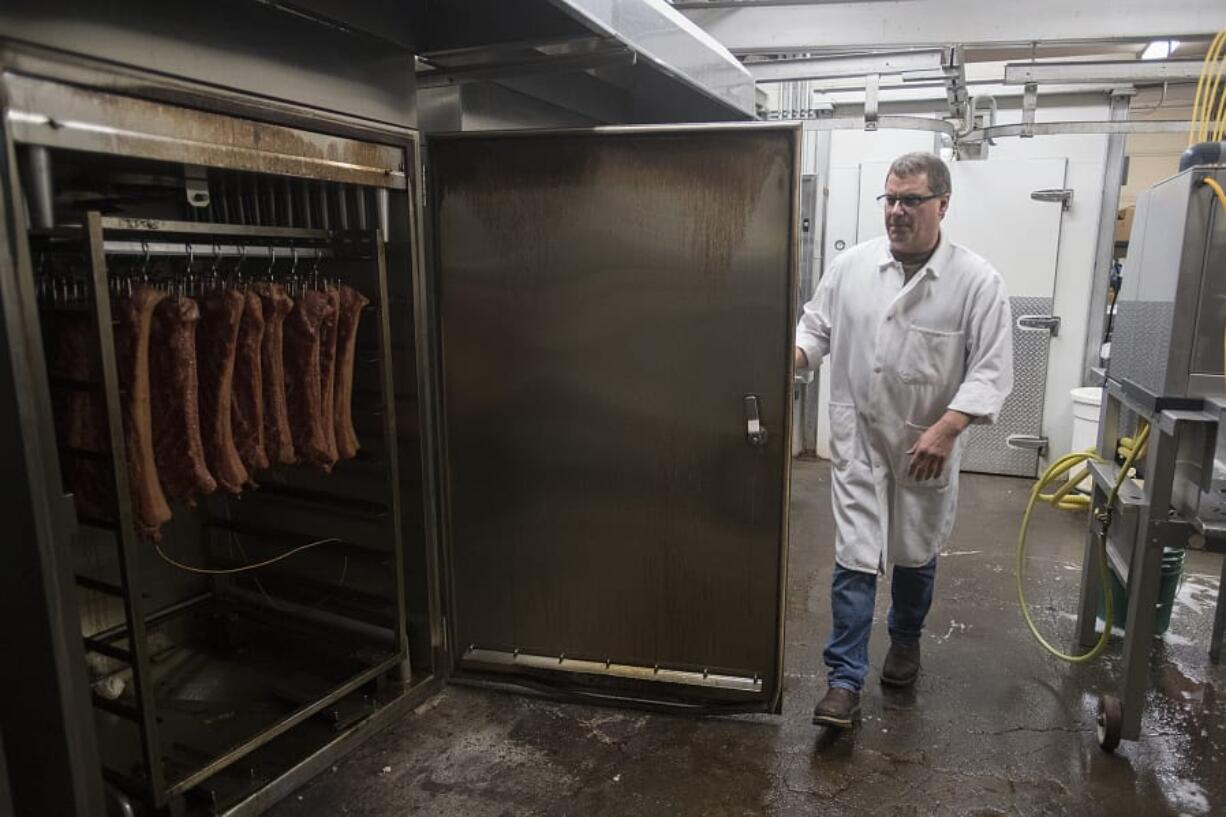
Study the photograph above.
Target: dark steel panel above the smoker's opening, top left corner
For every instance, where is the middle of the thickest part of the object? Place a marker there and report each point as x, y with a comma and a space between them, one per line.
237, 45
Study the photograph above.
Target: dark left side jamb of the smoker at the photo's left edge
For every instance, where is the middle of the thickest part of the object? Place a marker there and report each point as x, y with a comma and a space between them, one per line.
45, 710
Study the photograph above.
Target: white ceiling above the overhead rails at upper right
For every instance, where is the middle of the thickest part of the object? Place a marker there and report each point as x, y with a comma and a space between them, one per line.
979, 36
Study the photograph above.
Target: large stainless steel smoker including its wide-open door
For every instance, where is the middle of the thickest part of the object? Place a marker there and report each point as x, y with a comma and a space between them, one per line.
572, 389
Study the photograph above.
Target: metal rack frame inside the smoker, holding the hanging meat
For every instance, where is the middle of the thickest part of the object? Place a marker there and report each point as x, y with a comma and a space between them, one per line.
128, 643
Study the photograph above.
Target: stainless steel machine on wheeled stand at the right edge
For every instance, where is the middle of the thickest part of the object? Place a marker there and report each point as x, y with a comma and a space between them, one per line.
1167, 371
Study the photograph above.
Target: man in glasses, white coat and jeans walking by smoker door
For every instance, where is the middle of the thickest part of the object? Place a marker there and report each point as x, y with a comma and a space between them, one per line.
920, 340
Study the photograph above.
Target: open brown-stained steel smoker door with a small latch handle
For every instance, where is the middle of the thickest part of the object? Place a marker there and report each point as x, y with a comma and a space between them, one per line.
617, 327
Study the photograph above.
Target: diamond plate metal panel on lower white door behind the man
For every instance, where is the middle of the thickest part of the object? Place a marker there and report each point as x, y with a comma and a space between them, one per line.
1023, 413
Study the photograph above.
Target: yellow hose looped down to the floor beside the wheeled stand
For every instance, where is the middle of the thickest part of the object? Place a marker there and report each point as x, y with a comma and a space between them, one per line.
1059, 469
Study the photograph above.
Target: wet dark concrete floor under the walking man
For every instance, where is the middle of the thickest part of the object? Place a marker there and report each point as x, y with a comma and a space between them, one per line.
994, 728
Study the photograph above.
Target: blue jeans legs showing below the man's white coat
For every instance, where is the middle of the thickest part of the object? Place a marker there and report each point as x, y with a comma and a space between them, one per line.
851, 602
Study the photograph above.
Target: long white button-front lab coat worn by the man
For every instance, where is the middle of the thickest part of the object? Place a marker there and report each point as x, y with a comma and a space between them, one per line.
900, 356
